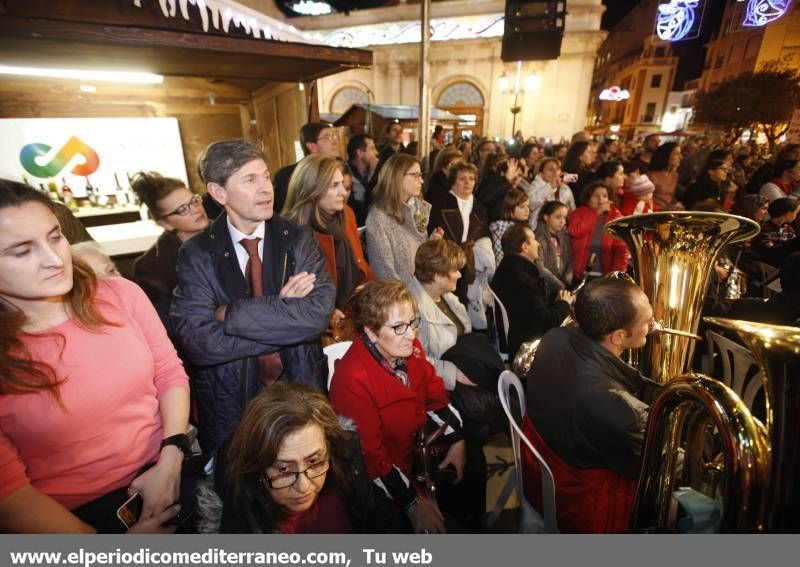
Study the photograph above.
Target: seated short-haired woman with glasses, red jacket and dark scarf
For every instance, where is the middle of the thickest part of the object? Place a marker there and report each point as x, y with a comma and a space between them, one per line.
387, 386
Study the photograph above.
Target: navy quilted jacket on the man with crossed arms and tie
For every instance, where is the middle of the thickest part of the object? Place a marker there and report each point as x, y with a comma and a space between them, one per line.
224, 354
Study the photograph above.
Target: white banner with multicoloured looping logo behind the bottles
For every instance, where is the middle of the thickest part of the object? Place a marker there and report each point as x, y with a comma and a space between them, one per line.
73, 149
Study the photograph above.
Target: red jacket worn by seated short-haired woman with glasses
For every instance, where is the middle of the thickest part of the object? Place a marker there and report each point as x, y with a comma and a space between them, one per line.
387, 413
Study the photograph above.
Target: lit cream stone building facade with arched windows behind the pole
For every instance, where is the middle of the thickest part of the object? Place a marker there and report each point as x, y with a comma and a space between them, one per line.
465, 65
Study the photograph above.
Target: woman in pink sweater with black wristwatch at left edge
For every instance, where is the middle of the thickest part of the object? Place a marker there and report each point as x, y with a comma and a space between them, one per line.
89, 386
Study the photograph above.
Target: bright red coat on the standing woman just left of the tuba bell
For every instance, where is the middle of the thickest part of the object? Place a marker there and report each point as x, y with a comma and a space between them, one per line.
614, 254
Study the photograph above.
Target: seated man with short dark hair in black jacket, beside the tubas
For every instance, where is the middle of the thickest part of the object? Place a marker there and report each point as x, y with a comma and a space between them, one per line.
588, 405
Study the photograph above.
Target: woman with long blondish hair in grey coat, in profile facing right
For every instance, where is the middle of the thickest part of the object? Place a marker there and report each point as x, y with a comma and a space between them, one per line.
398, 218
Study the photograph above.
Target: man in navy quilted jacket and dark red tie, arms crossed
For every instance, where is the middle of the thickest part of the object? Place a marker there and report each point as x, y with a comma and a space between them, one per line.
239, 340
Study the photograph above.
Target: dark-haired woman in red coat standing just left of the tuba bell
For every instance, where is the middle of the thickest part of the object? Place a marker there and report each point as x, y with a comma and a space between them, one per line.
587, 229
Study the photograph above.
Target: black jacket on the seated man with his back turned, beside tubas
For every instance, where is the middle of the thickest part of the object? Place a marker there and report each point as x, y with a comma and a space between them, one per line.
587, 404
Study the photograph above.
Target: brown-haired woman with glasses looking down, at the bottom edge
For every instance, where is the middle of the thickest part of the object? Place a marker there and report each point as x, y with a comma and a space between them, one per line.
291, 467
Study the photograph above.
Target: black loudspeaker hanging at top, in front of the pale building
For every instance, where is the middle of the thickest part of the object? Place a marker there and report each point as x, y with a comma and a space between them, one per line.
533, 29
